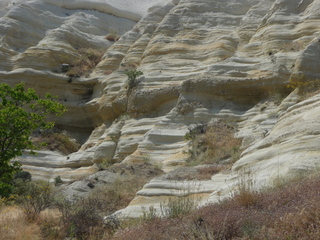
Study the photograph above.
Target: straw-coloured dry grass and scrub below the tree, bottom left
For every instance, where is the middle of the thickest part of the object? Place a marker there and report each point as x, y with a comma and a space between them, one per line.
79, 219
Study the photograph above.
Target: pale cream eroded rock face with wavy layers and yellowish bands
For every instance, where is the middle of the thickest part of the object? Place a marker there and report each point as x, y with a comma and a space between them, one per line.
202, 59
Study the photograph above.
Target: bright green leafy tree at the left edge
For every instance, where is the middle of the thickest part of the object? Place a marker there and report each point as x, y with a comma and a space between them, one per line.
21, 113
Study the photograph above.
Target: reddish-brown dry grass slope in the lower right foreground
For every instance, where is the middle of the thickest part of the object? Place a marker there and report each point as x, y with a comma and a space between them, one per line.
289, 212
